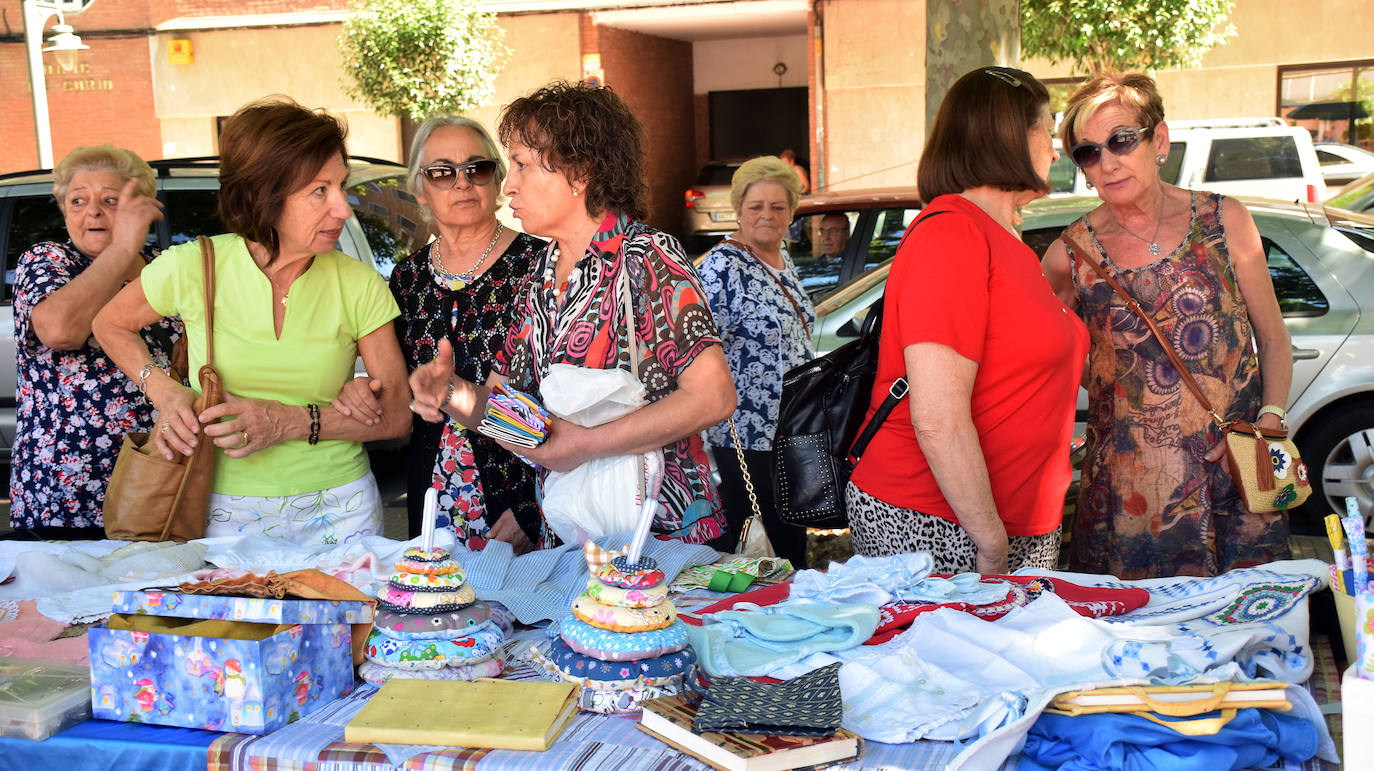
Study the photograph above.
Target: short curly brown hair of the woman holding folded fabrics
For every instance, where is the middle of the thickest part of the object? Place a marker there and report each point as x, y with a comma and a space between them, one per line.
589, 135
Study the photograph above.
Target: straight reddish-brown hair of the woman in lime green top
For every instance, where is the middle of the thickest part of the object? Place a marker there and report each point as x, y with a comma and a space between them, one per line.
269, 150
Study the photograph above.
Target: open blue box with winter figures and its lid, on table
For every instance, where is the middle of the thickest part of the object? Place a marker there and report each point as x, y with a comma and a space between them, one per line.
222, 663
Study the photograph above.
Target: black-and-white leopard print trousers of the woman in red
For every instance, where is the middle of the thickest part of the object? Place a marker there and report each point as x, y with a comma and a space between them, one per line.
881, 530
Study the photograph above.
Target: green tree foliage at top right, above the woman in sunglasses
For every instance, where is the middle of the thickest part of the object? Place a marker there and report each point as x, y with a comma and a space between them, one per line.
1125, 35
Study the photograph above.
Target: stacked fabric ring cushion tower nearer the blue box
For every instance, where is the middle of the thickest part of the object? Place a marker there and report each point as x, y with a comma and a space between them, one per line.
431, 626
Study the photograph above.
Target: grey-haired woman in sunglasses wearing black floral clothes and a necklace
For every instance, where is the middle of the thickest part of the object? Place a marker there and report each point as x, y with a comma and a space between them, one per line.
462, 289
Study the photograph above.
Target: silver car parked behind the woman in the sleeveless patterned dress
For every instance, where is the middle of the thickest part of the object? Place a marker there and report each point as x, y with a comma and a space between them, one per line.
1322, 263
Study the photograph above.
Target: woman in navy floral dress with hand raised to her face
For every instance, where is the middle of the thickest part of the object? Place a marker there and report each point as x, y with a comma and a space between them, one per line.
75, 406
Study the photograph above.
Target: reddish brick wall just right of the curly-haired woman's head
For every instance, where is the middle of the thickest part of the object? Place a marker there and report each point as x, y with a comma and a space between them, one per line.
655, 76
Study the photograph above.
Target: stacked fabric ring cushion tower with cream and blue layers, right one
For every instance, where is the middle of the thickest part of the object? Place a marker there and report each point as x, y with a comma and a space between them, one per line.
623, 642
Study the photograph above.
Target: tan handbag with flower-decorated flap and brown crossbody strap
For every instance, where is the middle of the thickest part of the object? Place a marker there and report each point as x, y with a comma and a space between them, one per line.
1265, 464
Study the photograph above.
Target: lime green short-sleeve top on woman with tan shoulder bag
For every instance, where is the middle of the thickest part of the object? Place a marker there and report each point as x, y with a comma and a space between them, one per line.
336, 303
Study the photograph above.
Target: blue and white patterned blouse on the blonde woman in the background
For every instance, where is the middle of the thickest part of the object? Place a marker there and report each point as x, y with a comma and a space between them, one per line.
762, 333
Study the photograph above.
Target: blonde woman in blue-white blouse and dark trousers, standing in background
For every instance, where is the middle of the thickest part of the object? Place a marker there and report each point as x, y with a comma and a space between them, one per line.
765, 320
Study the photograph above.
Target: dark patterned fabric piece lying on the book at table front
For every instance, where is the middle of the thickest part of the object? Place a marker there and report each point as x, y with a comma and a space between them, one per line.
804, 707
